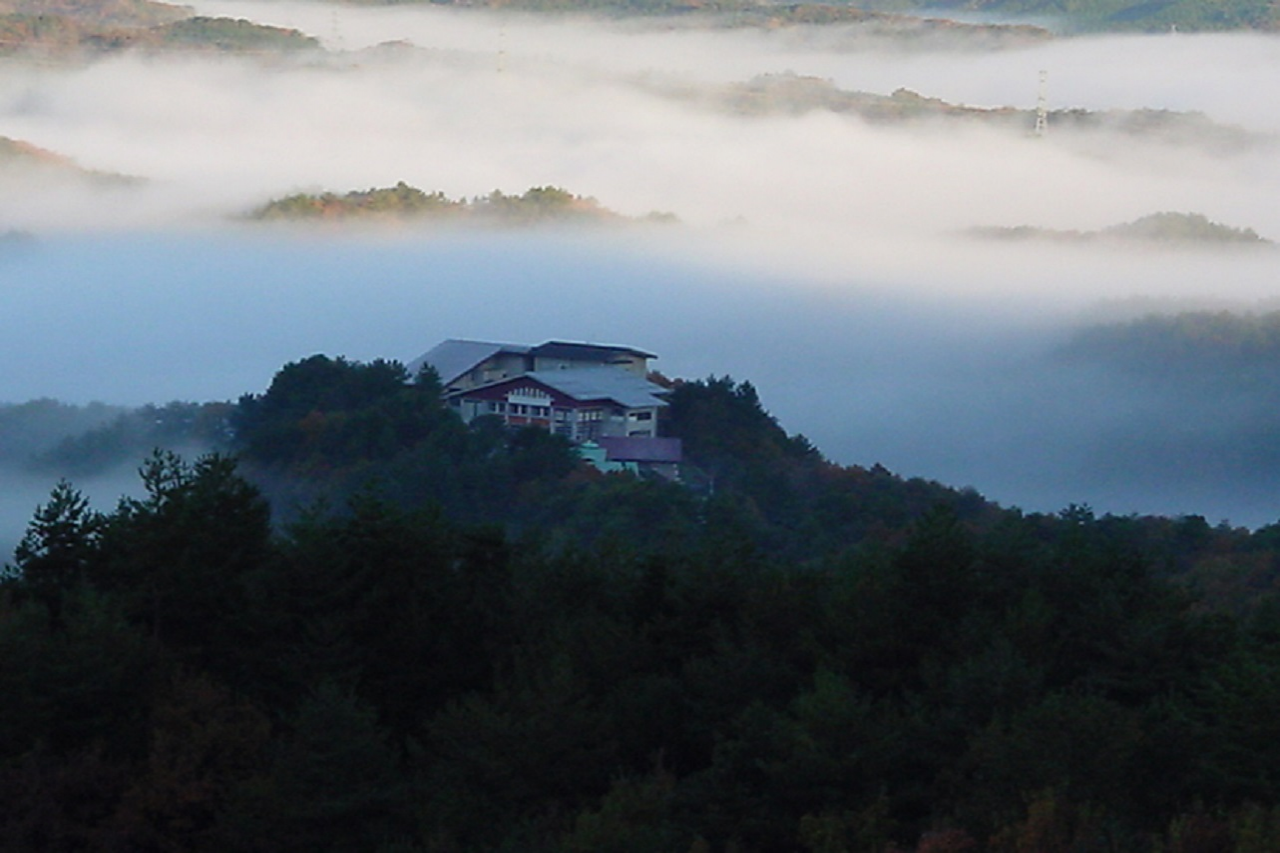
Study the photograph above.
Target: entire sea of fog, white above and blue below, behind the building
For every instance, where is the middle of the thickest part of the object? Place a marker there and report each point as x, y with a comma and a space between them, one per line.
816, 256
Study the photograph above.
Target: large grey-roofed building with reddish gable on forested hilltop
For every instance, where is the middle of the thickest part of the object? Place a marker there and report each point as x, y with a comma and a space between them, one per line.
588, 393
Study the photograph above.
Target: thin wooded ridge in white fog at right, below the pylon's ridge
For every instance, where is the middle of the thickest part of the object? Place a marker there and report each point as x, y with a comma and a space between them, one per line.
1163, 229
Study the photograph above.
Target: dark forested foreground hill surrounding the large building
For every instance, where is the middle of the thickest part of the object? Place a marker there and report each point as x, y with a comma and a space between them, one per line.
481, 645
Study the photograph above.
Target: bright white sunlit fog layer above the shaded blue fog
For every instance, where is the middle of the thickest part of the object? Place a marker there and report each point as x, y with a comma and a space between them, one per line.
478, 102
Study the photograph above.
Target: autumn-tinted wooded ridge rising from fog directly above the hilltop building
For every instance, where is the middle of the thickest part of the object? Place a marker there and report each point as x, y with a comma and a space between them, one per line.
405, 203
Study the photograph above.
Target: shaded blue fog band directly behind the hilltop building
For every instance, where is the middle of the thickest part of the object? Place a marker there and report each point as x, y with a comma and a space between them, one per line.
958, 387
